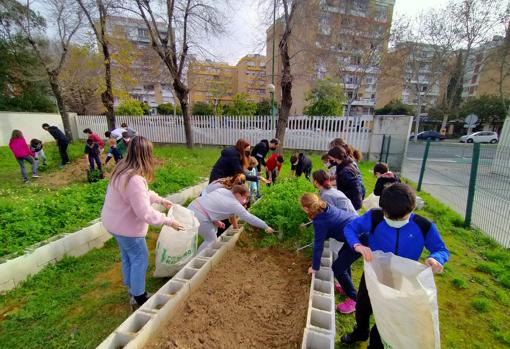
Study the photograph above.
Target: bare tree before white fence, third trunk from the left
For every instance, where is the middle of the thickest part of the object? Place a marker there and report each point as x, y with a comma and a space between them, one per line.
174, 30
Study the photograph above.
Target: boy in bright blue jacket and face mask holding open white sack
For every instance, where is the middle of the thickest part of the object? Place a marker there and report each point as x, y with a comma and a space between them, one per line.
394, 229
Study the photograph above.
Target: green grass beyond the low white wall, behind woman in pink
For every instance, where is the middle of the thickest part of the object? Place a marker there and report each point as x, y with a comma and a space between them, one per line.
62, 201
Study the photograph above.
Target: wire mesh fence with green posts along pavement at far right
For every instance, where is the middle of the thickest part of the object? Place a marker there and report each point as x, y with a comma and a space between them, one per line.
474, 180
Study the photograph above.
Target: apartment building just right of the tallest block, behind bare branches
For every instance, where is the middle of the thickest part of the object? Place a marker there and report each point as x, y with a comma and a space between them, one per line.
415, 73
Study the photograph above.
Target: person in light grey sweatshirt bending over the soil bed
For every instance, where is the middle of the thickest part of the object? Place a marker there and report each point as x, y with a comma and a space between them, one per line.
221, 204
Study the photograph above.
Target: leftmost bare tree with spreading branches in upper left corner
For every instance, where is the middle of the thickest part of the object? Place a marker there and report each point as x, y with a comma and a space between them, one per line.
51, 53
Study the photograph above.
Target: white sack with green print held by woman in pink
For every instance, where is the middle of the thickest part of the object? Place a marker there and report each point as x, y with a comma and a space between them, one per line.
176, 248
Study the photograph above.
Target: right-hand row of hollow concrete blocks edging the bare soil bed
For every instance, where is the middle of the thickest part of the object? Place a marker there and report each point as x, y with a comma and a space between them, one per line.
320, 321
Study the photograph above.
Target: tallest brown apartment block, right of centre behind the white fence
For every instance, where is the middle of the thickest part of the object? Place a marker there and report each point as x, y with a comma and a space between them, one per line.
339, 39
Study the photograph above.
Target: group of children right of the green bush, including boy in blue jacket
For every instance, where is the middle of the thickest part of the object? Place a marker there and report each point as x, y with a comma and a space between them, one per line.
392, 227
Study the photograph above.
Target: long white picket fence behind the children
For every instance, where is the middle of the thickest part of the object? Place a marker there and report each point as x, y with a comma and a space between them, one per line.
303, 132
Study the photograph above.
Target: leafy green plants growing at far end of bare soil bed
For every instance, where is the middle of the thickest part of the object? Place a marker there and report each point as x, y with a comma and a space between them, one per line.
280, 208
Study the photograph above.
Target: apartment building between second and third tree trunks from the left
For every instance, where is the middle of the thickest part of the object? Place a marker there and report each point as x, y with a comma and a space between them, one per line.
151, 79
